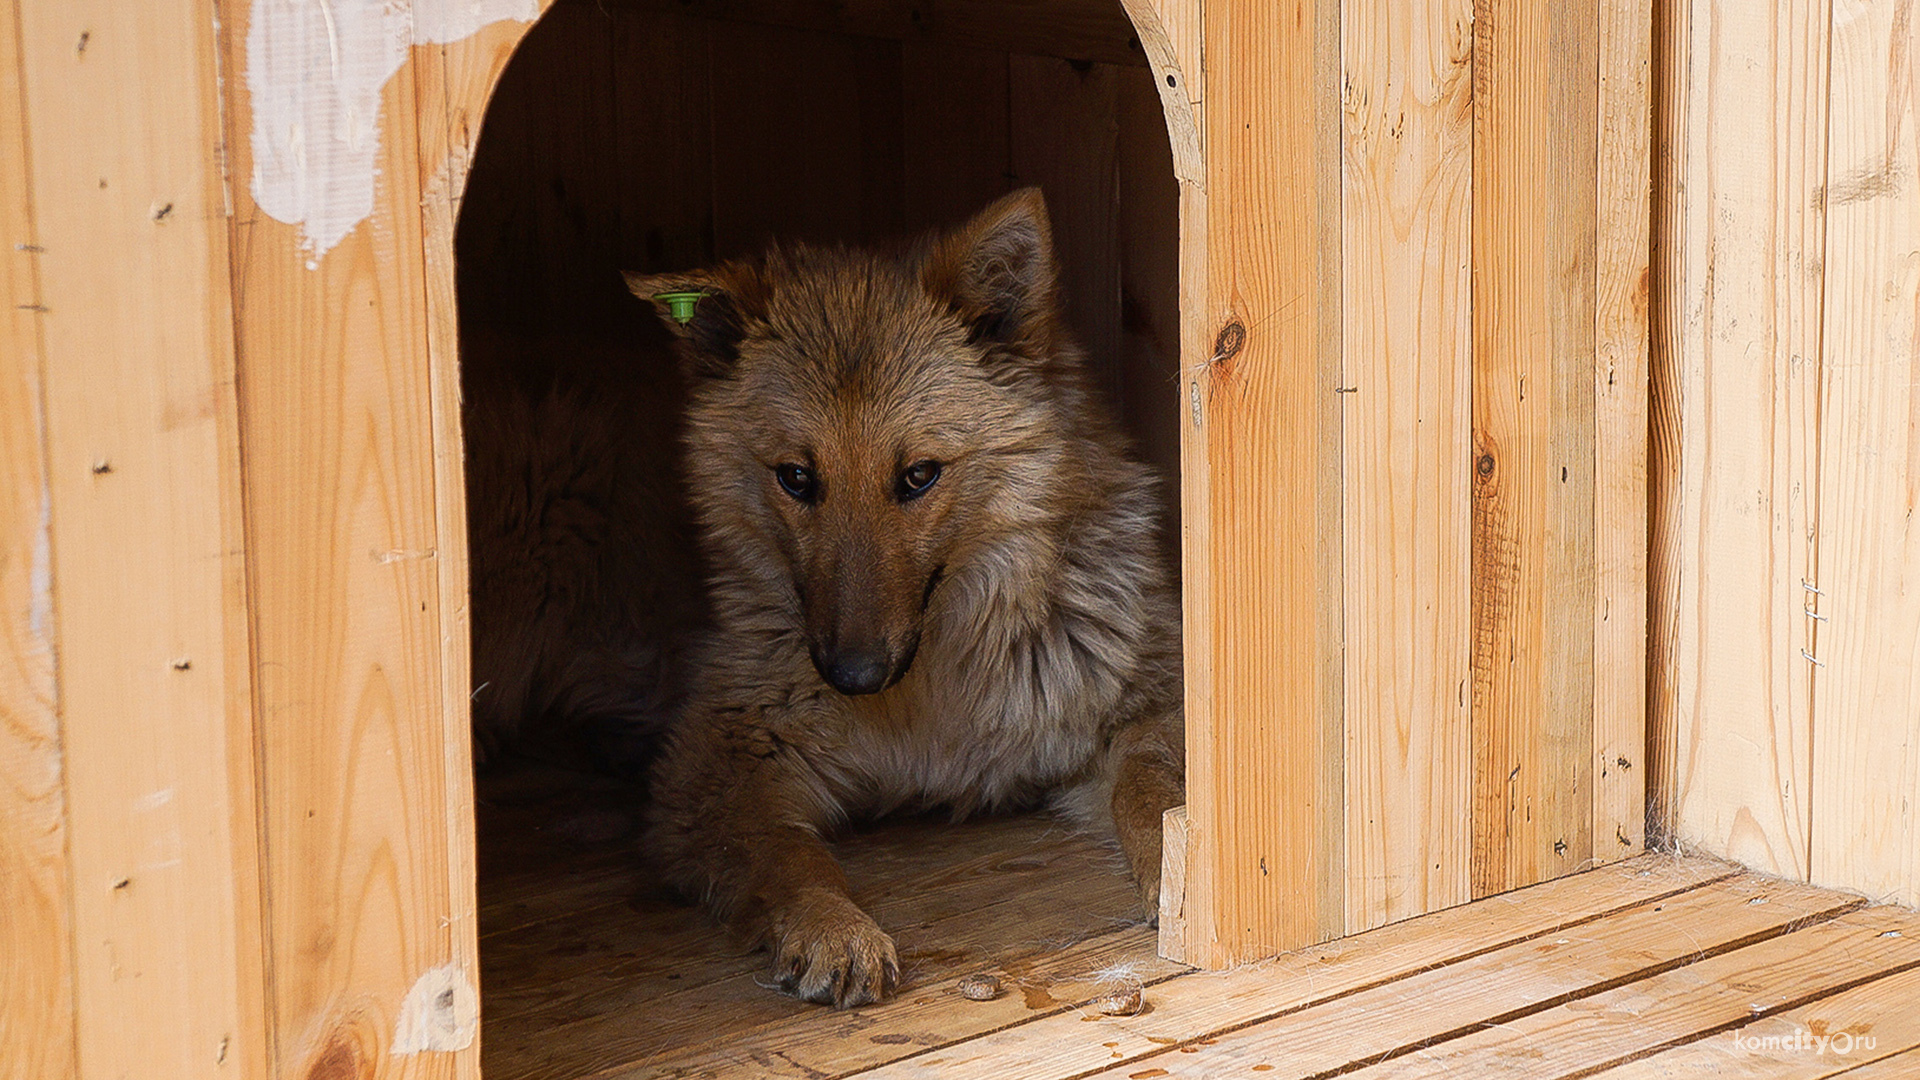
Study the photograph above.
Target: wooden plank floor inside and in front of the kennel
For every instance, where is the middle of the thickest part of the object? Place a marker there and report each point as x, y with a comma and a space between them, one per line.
1646, 970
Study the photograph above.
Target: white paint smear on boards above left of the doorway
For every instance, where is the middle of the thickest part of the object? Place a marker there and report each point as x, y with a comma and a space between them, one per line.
316, 70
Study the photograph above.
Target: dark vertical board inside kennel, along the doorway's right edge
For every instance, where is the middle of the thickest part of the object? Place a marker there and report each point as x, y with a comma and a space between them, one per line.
1149, 283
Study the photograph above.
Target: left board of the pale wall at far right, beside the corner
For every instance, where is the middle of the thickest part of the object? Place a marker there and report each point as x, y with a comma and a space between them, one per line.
1744, 333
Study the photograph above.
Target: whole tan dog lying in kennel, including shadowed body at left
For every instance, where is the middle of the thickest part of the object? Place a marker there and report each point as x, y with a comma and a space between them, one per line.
932, 576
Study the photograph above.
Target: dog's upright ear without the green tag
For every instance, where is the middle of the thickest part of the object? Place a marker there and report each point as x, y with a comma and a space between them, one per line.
999, 270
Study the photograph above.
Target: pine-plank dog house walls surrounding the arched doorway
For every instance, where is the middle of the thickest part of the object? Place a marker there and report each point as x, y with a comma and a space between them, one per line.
1535, 483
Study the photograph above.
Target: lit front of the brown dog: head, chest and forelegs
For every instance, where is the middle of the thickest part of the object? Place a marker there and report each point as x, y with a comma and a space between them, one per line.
936, 581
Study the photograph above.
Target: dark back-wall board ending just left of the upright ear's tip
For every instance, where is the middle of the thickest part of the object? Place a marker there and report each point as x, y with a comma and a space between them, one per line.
955, 149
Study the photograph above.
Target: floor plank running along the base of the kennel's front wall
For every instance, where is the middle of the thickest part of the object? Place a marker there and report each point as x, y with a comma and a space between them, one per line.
1199, 1006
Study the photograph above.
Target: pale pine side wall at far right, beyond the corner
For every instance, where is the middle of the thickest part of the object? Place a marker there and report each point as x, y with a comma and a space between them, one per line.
1788, 433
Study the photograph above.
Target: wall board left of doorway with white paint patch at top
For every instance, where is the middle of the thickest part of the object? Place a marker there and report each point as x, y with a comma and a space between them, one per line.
370, 896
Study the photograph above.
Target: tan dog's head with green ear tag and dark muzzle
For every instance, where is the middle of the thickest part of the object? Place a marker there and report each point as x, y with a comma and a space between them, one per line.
865, 424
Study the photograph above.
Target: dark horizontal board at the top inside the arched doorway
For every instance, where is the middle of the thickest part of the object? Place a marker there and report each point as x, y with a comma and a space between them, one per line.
1067, 30
